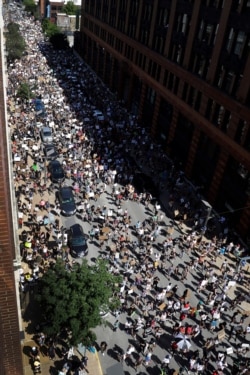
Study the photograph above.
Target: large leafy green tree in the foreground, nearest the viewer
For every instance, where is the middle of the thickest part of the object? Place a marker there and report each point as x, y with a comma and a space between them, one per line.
71, 301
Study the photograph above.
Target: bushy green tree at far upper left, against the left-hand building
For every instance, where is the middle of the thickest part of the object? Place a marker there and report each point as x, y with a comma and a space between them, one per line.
15, 43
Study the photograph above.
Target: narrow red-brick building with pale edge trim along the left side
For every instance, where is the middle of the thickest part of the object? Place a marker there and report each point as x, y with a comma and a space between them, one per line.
10, 340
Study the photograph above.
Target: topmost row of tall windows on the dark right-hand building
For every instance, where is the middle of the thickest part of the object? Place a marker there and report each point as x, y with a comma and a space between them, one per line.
237, 42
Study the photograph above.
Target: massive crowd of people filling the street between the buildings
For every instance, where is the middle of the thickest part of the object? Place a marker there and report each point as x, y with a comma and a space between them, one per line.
177, 284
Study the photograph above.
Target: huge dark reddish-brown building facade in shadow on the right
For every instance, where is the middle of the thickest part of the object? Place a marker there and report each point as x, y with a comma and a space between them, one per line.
183, 67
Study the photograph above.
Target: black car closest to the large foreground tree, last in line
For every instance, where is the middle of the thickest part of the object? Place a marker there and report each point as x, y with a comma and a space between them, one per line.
77, 241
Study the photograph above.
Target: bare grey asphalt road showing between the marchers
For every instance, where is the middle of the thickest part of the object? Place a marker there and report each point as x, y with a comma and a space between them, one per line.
120, 340
